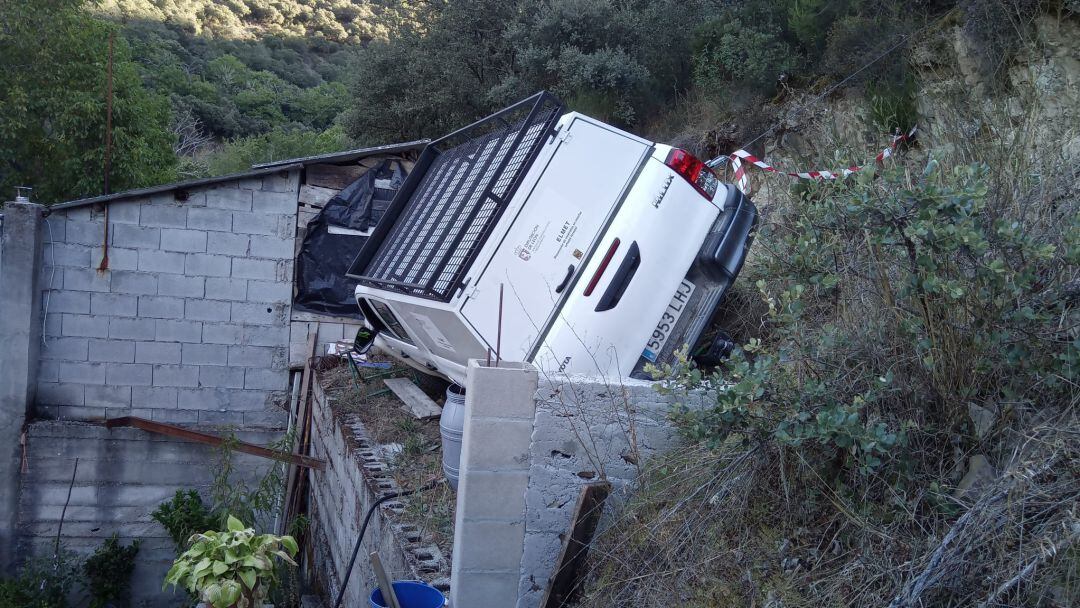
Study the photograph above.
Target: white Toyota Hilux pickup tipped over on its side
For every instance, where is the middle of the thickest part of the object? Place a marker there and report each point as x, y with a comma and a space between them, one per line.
551, 238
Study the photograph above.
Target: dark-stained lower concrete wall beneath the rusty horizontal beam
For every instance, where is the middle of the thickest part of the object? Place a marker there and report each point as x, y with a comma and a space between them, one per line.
124, 476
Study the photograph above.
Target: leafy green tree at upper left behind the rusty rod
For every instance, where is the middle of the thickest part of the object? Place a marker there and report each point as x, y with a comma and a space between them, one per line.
53, 66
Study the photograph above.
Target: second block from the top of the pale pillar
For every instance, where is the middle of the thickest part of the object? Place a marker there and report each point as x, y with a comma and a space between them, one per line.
496, 444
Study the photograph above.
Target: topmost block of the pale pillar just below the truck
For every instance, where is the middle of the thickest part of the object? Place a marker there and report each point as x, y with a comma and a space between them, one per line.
505, 393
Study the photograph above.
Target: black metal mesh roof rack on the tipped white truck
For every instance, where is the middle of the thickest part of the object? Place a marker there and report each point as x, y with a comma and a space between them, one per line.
441, 218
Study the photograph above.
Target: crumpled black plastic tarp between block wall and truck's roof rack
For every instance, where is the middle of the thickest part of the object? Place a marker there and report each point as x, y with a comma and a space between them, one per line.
333, 242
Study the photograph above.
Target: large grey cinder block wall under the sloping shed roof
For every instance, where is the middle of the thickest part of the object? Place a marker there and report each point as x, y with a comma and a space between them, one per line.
190, 323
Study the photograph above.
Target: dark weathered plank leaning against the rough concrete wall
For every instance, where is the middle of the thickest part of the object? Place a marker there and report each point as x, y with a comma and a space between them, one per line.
569, 572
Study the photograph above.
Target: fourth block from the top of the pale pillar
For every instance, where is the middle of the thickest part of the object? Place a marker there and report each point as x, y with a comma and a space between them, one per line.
496, 546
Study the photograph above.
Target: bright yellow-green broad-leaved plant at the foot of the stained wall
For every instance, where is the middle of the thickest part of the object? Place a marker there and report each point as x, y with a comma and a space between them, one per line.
232, 570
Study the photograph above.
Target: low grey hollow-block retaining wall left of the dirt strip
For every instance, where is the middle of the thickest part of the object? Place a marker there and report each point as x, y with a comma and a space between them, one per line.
341, 496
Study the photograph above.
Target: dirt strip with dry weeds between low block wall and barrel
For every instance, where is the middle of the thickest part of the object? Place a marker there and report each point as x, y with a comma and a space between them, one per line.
420, 456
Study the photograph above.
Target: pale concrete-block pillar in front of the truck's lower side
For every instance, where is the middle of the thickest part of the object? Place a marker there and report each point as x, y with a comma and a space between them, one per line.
490, 526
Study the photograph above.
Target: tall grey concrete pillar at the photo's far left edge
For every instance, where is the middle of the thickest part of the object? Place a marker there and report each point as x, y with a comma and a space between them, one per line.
20, 346
